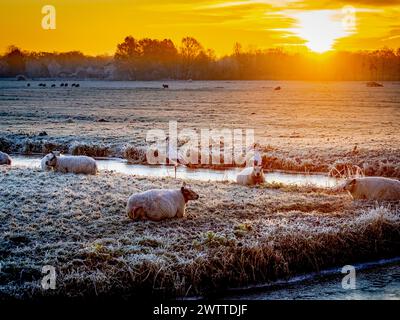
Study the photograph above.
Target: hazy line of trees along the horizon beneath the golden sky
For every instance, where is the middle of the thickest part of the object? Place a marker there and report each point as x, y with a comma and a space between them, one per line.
151, 59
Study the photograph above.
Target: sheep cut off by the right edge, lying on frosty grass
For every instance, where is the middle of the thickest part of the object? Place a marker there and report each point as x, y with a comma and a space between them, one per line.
372, 188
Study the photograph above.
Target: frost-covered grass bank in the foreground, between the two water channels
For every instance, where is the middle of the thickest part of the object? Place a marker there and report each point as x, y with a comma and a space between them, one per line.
232, 236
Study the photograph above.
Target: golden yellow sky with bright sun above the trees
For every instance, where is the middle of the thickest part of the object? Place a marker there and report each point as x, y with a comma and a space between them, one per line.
96, 26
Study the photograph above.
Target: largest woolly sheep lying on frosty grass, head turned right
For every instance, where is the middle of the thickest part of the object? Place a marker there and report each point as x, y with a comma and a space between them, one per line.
160, 204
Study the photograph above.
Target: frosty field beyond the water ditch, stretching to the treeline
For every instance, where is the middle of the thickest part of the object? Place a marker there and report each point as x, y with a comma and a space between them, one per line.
307, 126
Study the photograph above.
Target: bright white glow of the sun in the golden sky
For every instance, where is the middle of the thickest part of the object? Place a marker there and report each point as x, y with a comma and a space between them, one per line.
320, 29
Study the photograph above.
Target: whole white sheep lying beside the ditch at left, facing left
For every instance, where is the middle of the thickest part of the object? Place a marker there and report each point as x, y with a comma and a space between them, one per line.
69, 164
